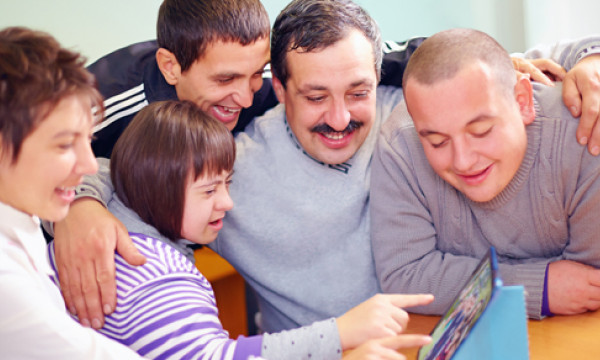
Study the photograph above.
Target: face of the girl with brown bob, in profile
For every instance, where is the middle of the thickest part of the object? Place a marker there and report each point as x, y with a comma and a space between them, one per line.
206, 201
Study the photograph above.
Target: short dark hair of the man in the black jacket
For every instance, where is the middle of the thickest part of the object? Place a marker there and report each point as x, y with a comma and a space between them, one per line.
187, 27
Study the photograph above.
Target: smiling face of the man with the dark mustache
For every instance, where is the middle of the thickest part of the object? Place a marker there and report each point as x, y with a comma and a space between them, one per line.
330, 97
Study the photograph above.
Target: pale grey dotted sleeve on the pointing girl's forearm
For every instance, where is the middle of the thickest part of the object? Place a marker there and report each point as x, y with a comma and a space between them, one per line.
318, 341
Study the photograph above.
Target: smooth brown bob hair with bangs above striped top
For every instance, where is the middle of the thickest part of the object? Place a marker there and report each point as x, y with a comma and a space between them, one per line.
166, 144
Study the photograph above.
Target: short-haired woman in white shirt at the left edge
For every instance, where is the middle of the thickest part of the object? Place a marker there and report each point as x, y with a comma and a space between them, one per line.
46, 101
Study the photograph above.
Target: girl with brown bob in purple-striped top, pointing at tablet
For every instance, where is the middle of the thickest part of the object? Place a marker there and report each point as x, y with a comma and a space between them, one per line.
171, 169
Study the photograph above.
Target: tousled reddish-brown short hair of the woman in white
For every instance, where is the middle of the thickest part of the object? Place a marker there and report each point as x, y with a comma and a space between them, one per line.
36, 73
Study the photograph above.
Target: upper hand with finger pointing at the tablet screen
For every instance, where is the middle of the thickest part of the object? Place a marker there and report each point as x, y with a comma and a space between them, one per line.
378, 317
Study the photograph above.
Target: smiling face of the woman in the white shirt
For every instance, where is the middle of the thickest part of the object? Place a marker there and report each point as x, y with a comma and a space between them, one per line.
52, 161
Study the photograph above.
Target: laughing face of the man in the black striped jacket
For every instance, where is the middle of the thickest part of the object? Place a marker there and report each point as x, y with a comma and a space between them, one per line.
223, 81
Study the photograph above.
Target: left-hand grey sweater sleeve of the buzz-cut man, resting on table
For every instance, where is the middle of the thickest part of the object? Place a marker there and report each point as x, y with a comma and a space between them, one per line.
404, 239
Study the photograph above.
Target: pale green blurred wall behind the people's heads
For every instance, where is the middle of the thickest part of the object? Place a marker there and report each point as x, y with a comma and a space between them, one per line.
98, 27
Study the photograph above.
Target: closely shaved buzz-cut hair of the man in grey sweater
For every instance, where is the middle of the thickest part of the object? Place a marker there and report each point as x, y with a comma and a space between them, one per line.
444, 54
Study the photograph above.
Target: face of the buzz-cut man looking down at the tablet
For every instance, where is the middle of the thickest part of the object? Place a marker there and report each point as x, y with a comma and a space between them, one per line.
473, 133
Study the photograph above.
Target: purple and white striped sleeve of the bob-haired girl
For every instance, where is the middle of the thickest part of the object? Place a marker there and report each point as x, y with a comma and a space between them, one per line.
166, 309
